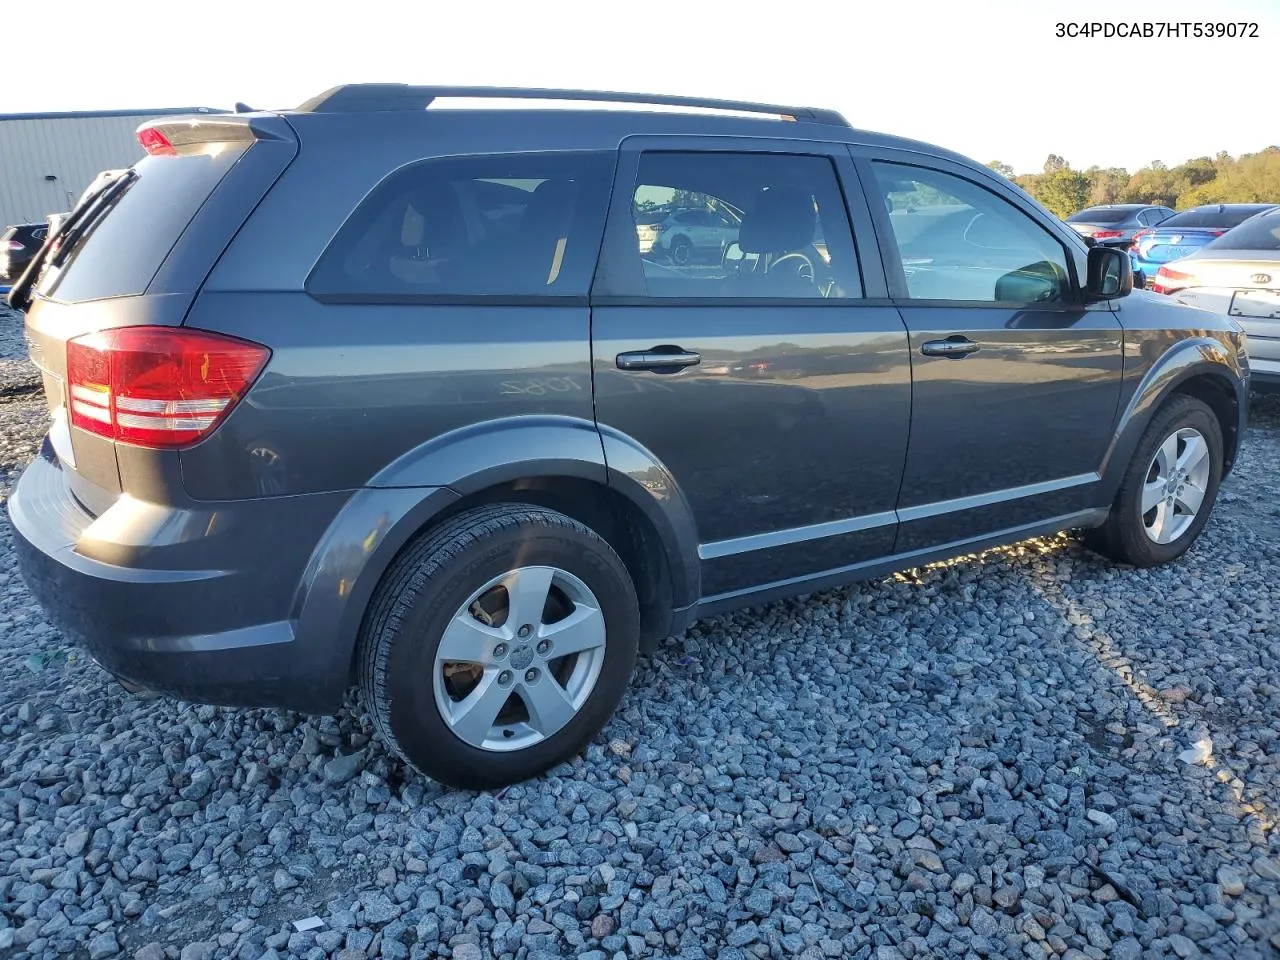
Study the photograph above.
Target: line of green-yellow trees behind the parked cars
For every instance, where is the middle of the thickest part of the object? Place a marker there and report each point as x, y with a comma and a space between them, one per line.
1251, 179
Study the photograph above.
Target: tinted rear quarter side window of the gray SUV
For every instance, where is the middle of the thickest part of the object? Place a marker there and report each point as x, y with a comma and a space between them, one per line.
511, 225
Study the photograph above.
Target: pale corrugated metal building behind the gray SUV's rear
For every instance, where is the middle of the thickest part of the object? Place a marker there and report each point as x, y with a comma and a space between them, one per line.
47, 161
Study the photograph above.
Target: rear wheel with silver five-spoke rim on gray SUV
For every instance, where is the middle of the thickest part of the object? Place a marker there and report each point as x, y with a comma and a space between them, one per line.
433, 712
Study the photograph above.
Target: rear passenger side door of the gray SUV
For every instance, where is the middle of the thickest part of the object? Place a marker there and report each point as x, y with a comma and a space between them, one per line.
774, 385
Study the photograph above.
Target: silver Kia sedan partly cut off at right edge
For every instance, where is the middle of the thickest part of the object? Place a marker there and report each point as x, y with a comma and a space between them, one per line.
1238, 275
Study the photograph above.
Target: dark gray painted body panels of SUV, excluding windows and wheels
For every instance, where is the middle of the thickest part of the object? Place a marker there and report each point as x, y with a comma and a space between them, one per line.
239, 572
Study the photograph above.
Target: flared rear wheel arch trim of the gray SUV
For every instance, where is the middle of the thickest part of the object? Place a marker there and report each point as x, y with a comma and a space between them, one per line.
651, 529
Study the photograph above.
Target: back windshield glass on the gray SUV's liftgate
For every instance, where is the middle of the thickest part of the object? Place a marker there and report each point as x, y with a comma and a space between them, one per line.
124, 250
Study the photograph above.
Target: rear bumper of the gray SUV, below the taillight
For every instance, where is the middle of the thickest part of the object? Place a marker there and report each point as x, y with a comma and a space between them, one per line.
220, 632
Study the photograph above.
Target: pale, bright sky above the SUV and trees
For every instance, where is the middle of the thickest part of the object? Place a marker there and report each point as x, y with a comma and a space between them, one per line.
988, 79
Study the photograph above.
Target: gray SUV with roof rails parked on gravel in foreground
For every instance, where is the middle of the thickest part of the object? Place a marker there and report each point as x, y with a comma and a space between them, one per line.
373, 392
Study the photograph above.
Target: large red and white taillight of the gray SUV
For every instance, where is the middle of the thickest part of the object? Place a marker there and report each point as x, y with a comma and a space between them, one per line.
158, 386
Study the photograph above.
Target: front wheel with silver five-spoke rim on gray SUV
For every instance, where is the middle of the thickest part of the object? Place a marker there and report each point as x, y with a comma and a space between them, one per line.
1132, 536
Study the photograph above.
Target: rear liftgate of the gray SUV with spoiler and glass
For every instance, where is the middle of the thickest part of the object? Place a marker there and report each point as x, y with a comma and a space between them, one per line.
135, 252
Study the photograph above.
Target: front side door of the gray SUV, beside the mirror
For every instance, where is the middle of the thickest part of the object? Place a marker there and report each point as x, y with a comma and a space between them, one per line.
1017, 380
